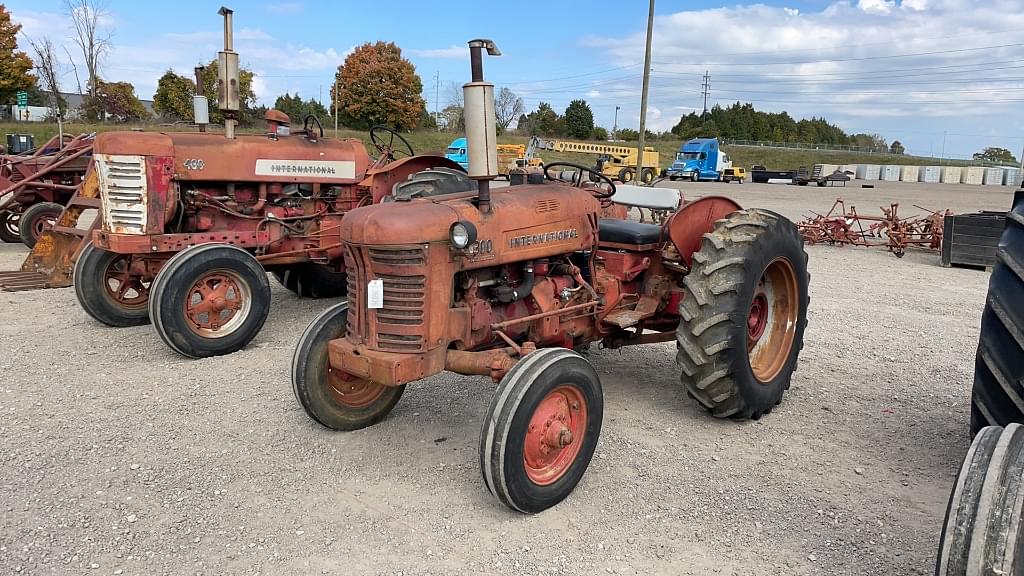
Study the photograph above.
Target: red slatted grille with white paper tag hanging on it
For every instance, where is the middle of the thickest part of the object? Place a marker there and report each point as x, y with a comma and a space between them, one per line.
399, 326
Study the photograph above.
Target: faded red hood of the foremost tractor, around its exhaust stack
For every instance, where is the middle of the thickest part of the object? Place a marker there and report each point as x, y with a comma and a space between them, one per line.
526, 223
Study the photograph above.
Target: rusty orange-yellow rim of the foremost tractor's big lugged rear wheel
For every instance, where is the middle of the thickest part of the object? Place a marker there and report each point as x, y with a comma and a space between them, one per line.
772, 322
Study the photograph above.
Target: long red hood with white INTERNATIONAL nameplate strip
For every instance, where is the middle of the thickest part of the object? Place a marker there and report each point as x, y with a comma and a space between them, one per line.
211, 157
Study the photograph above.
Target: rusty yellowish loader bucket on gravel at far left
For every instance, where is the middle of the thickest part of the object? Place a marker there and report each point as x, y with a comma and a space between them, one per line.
53, 260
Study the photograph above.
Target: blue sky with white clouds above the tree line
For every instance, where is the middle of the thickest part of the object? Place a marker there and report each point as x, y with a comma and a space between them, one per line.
945, 77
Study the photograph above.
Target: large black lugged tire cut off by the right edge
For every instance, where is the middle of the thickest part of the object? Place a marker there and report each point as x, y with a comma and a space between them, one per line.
998, 398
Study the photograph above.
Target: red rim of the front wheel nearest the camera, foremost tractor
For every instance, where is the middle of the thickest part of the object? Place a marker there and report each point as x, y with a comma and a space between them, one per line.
556, 435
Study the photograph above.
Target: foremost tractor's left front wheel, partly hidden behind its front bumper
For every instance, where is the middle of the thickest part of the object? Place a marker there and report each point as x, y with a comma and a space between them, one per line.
334, 398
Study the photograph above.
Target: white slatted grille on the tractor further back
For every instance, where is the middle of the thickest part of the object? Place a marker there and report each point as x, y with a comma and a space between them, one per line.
123, 190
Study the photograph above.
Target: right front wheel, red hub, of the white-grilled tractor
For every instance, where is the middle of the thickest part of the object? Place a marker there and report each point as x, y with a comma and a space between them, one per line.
210, 300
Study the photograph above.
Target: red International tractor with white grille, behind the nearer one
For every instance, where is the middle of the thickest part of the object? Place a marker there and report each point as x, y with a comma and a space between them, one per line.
191, 222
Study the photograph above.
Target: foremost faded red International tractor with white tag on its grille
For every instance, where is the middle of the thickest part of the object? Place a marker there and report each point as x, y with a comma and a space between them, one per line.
518, 283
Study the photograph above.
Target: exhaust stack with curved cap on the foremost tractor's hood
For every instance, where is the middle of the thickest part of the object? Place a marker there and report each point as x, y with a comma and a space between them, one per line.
482, 133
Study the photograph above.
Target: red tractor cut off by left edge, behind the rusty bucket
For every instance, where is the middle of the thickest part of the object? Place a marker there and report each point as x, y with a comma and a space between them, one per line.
34, 188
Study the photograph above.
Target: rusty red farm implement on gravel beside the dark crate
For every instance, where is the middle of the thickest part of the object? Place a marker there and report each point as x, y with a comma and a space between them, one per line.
840, 227
